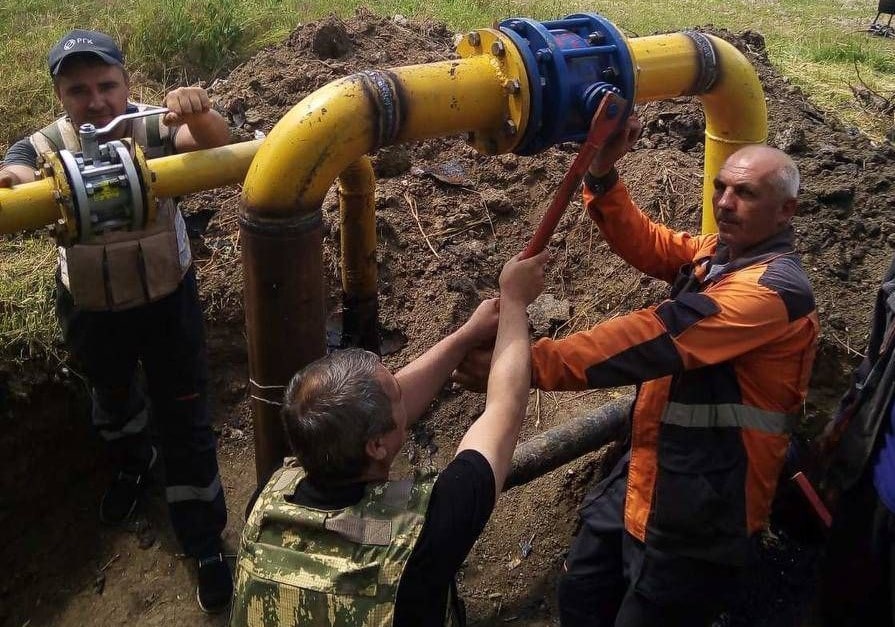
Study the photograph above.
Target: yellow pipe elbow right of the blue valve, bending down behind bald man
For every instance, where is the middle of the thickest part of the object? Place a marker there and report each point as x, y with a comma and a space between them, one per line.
735, 111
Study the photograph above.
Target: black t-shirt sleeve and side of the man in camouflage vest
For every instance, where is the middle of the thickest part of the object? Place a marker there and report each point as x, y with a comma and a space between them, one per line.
461, 503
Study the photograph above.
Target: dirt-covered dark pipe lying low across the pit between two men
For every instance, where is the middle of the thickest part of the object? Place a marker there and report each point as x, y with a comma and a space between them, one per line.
567, 442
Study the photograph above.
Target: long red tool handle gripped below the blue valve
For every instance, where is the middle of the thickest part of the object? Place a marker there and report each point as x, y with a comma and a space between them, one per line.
606, 121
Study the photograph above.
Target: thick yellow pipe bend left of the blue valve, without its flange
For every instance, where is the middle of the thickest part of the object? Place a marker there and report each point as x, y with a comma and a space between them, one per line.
339, 122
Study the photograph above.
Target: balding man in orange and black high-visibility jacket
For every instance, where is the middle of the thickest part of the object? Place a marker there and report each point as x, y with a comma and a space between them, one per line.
722, 369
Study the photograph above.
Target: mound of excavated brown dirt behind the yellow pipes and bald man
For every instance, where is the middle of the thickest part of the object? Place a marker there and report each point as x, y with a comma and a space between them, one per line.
844, 230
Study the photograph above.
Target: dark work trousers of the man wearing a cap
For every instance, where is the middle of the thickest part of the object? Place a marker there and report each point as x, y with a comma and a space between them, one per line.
167, 338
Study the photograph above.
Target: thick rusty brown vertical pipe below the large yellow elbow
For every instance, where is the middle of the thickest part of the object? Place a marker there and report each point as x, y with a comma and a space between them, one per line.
285, 320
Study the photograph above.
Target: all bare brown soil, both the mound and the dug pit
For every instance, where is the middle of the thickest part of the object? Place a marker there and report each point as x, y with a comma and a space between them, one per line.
62, 568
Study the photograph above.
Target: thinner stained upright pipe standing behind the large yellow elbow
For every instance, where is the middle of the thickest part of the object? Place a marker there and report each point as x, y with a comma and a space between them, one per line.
357, 208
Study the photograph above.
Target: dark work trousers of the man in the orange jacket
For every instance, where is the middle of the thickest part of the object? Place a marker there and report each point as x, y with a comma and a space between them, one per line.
611, 578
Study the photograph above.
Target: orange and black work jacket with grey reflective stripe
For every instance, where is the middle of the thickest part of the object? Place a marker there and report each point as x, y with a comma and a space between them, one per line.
722, 369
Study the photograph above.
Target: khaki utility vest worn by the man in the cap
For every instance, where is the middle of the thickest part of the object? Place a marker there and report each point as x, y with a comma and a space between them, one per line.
123, 269
